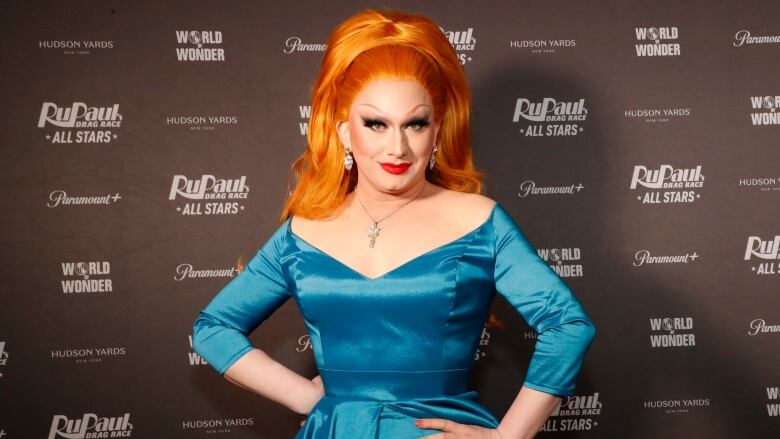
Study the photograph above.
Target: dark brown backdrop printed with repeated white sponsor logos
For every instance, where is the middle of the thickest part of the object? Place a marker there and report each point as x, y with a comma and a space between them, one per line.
145, 156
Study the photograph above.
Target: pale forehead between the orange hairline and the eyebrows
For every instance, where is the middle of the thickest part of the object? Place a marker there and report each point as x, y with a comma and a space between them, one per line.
392, 95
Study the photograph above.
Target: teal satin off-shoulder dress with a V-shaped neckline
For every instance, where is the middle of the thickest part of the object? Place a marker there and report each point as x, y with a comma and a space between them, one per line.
401, 346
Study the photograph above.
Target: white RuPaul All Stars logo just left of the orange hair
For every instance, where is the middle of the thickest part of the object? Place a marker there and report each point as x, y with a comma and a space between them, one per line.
209, 195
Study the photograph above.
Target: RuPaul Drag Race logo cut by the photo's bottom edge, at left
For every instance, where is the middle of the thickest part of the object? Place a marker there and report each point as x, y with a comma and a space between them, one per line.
90, 425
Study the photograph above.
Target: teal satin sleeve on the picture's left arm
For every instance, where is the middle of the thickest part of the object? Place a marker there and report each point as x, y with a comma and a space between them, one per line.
220, 331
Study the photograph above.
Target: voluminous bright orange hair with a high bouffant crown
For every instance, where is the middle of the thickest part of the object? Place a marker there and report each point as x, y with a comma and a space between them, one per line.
370, 45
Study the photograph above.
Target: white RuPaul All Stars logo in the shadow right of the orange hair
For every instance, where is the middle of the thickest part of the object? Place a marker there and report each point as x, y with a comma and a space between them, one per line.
550, 117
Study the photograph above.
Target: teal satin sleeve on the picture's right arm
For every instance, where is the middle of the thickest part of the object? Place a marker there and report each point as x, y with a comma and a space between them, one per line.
564, 330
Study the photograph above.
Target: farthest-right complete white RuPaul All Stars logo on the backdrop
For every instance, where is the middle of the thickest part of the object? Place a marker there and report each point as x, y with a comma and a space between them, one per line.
667, 184
